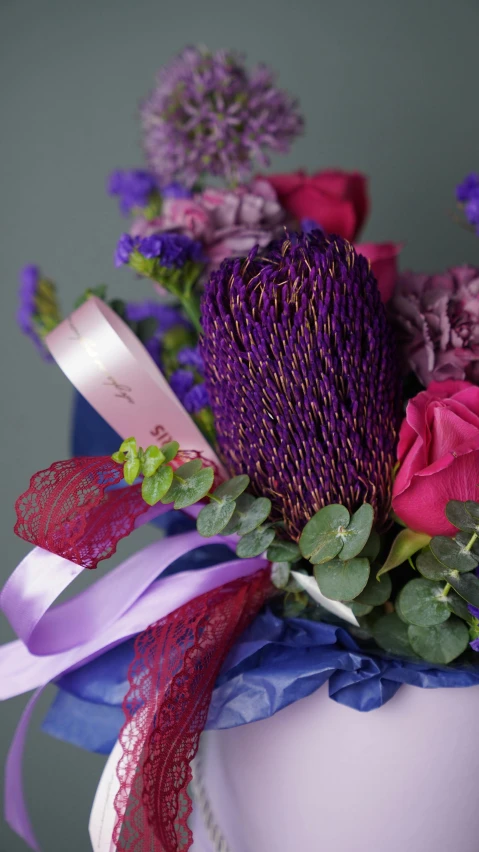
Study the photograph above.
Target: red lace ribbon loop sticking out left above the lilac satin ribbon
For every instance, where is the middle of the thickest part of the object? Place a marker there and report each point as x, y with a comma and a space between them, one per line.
72, 510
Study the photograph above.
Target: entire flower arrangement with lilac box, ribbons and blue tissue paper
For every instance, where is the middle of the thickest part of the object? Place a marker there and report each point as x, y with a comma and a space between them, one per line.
301, 423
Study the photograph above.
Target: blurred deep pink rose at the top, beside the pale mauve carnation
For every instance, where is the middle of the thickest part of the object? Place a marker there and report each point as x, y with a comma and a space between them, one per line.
338, 201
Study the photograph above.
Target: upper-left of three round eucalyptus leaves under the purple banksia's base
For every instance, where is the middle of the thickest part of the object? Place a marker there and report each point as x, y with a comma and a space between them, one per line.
322, 537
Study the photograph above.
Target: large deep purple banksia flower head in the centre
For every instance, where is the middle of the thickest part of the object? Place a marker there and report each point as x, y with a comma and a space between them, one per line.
301, 374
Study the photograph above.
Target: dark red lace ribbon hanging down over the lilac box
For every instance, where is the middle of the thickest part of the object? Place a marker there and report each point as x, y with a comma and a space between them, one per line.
176, 663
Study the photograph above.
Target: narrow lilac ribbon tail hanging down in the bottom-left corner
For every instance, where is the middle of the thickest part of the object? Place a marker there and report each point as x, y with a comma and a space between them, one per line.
16, 813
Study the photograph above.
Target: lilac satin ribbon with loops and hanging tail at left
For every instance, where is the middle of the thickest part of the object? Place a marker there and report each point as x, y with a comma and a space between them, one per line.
119, 605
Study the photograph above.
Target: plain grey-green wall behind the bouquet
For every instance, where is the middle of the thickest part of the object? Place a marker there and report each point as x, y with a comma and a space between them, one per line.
387, 86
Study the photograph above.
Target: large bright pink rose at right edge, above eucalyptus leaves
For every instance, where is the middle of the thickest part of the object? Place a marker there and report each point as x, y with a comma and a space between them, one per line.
439, 455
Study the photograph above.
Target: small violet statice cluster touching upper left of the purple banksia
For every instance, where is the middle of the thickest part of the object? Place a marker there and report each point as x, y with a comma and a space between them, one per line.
170, 249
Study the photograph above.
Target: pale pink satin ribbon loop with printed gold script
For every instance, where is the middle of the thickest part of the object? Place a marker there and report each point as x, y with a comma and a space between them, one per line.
111, 368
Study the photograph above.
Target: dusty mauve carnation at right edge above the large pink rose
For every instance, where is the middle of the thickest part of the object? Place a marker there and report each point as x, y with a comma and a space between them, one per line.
437, 323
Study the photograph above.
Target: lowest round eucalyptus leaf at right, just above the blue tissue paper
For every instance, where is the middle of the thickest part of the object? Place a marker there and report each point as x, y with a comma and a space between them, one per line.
441, 643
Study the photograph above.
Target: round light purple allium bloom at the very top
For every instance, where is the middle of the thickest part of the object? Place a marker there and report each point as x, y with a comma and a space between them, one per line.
209, 114
